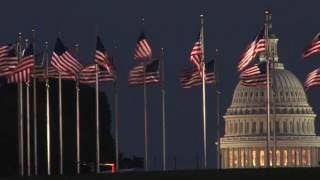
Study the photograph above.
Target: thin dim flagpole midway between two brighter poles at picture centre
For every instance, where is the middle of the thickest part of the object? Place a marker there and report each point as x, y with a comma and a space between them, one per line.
163, 92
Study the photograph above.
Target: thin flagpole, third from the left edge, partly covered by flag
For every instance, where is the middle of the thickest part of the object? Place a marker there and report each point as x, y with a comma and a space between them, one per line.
35, 140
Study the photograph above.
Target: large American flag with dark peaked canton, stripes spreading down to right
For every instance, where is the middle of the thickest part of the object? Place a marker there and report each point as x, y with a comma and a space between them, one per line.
63, 61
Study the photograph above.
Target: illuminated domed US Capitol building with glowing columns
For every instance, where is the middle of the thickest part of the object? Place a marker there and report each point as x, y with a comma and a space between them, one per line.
245, 139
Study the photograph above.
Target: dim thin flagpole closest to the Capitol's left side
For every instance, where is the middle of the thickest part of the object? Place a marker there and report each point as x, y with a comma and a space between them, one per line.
218, 92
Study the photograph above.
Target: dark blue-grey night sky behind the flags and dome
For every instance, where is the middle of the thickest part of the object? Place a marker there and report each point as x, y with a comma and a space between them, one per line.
229, 25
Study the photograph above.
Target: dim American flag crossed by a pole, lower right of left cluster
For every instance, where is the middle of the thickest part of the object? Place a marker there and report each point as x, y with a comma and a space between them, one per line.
88, 75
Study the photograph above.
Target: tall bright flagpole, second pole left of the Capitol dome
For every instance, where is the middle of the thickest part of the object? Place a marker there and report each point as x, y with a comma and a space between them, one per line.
203, 96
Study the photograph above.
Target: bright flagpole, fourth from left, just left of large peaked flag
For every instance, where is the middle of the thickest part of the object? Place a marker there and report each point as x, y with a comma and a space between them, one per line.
48, 112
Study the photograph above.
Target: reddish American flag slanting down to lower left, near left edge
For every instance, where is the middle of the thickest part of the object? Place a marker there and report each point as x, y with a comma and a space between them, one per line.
22, 72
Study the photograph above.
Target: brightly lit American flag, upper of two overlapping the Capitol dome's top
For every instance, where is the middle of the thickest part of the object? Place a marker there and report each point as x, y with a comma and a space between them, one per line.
251, 52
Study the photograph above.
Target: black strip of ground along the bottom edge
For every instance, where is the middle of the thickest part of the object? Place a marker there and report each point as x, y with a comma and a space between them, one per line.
258, 174
